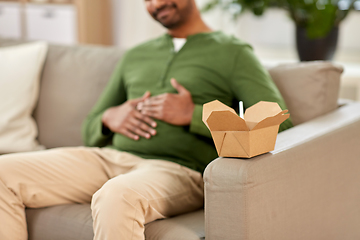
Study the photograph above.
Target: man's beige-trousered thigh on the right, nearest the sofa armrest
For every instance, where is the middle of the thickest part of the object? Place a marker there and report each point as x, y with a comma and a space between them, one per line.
158, 188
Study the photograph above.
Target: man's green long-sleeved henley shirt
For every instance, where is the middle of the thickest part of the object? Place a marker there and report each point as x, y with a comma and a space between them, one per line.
210, 65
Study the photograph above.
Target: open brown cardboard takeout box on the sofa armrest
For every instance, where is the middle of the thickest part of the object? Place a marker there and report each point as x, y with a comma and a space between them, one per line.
236, 137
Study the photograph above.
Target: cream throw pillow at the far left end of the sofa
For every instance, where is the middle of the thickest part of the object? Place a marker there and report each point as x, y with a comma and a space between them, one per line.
20, 70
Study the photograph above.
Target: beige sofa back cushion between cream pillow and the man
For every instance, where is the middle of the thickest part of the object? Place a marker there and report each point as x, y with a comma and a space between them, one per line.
73, 79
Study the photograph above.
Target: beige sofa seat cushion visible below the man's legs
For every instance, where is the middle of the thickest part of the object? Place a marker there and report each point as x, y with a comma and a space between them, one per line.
74, 222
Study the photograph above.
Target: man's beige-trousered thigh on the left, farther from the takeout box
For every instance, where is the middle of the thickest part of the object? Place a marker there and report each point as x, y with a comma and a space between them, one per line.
51, 177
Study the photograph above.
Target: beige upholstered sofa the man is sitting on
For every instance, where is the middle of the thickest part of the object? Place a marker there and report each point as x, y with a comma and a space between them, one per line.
307, 188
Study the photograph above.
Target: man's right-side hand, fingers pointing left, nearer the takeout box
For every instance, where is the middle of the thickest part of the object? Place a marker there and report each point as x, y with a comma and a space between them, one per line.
176, 109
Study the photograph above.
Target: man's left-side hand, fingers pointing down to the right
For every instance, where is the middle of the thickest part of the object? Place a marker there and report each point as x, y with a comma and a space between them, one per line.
126, 120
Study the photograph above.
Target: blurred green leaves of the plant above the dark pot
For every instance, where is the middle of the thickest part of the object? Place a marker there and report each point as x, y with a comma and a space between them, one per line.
317, 16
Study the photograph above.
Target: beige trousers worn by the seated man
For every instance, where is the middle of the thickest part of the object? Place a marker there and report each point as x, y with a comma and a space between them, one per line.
125, 191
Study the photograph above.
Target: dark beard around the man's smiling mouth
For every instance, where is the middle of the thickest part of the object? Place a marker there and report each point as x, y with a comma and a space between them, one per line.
173, 17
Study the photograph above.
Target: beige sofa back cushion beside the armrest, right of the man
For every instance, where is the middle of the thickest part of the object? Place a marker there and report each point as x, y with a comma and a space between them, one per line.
310, 89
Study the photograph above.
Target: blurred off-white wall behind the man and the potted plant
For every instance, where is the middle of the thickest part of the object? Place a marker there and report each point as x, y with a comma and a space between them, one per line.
273, 31
